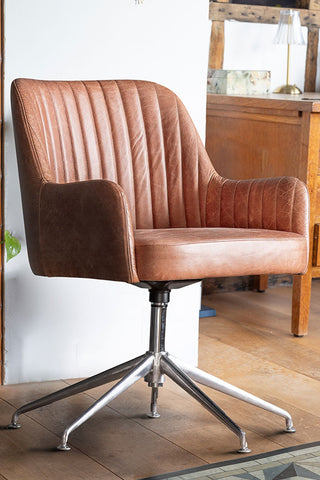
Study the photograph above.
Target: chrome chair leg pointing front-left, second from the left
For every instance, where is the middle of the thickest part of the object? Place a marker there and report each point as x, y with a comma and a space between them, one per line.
133, 376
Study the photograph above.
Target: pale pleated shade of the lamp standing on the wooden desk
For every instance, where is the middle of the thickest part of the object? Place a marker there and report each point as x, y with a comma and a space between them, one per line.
289, 28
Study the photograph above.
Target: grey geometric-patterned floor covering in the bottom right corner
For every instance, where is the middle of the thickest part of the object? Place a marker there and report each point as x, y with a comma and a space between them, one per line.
296, 463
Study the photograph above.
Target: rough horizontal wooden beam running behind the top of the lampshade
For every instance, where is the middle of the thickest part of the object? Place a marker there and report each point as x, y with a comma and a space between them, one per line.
258, 14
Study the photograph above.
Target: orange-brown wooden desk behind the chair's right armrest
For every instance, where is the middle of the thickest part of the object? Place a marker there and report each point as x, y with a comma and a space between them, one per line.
271, 136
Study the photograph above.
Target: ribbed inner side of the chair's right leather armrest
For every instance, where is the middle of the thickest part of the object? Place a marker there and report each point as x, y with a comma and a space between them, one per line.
271, 203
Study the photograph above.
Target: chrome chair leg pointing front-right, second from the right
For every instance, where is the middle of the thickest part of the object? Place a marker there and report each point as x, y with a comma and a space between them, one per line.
178, 376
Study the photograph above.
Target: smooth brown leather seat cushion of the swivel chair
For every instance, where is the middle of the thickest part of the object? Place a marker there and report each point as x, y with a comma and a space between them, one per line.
190, 253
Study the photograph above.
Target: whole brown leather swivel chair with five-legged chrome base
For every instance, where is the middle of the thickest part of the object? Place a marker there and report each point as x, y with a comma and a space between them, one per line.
117, 185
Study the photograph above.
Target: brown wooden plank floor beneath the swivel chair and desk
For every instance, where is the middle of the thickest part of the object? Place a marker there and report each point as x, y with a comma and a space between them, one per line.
247, 344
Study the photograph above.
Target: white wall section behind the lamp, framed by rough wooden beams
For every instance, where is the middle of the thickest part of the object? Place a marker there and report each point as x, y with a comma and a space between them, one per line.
249, 46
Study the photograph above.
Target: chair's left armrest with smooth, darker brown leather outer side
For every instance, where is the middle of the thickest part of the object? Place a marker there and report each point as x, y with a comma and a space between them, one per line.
86, 231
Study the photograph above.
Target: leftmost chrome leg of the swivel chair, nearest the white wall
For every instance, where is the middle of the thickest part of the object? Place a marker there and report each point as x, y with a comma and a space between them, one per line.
92, 382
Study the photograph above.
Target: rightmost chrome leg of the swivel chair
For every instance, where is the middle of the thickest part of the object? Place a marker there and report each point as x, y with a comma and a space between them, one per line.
217, 384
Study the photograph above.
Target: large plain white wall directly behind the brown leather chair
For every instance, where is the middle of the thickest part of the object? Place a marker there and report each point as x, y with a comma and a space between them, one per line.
60, 328
